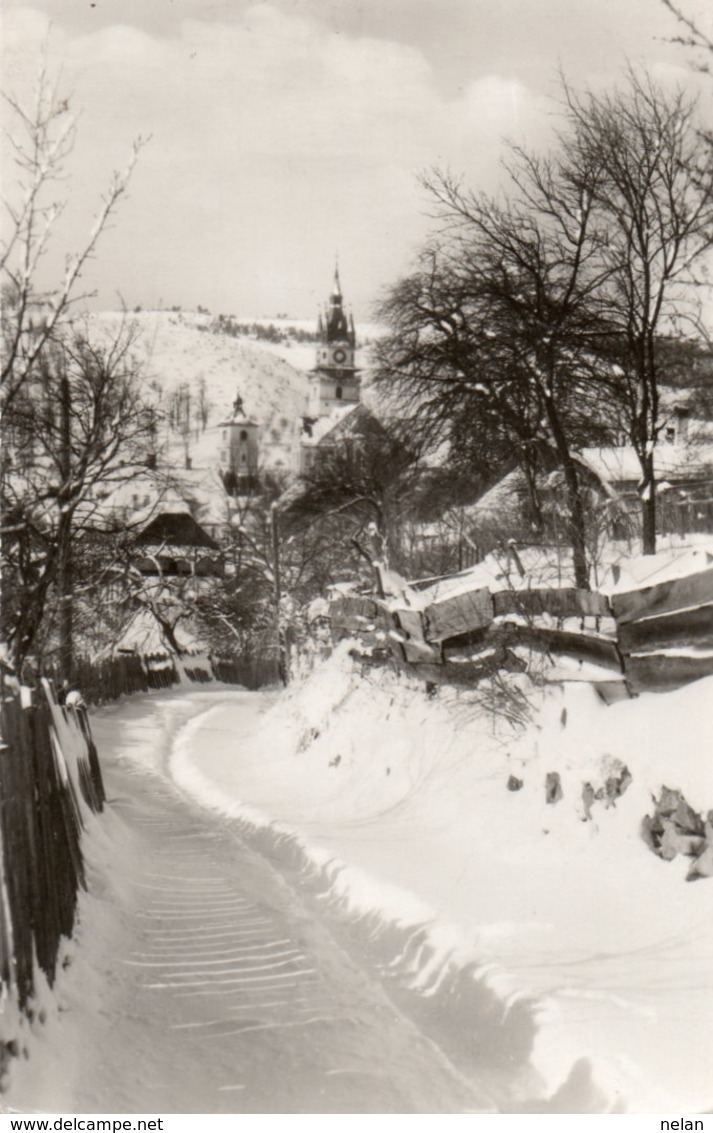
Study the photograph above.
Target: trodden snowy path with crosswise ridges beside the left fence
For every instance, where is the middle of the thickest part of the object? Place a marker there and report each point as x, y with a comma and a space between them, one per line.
201, 984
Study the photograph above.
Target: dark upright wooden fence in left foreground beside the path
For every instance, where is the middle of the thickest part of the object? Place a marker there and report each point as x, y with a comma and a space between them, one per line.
50, 781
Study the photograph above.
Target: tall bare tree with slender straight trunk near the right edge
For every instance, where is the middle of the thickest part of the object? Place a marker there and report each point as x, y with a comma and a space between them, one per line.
653, 203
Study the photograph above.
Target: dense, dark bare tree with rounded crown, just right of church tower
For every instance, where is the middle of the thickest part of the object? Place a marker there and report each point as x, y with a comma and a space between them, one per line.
448, 395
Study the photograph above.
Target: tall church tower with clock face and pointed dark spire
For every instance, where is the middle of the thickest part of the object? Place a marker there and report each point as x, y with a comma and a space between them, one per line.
335, 381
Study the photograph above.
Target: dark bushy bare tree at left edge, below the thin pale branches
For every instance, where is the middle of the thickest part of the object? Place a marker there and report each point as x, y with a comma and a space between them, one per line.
74, 432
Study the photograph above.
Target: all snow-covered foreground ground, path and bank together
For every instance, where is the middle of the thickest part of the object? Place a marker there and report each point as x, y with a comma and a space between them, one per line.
333, 900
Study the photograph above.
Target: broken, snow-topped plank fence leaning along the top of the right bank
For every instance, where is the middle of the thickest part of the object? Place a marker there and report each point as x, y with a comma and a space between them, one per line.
656, 638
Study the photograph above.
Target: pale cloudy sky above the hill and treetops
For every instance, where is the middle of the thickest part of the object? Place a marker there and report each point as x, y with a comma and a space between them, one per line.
284, 133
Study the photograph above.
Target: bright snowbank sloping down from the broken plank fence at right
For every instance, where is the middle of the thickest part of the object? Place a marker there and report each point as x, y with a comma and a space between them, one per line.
403, 804
